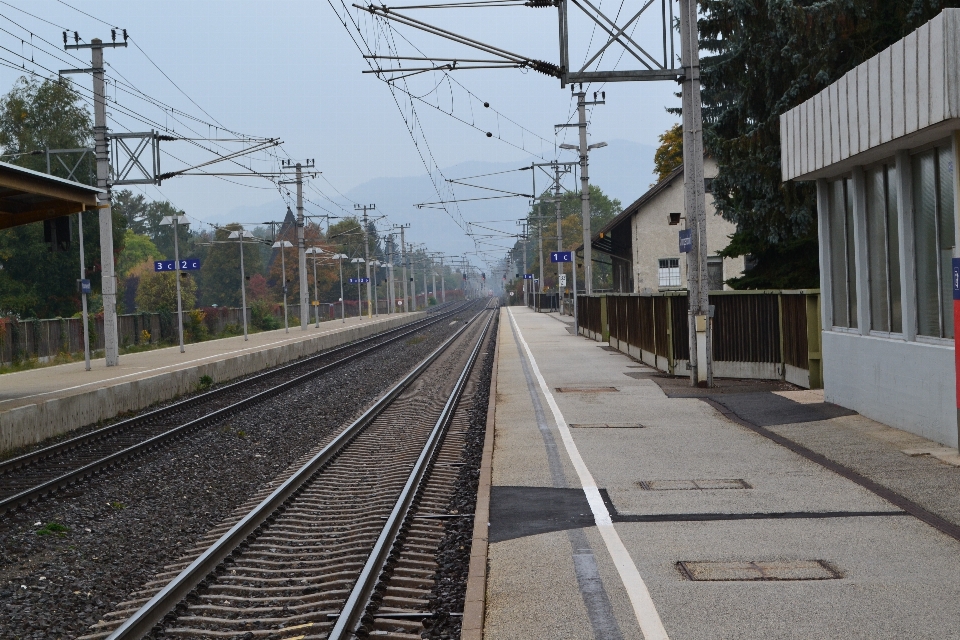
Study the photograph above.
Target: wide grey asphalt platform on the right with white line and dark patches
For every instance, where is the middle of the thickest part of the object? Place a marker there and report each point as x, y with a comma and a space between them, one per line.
624, 504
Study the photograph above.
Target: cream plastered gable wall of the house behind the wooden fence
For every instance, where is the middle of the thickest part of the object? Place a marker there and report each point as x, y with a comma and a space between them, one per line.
654, 239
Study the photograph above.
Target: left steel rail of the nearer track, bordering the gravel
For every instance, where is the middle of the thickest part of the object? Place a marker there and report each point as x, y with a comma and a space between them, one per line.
165, 601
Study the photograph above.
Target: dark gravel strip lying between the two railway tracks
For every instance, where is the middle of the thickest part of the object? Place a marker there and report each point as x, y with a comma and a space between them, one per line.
69, 559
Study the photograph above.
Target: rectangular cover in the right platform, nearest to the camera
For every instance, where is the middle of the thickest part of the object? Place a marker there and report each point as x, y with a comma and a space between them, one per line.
771, 570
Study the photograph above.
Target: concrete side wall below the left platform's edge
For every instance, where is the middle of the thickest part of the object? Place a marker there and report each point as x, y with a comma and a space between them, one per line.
32, 423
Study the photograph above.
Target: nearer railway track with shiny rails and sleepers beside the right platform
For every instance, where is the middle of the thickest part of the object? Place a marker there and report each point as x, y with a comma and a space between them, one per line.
345, 543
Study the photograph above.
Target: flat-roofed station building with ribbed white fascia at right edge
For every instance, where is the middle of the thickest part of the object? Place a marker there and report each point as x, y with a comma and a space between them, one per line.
882, 145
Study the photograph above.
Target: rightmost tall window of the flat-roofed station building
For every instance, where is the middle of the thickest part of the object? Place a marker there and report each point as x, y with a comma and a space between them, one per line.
934, 236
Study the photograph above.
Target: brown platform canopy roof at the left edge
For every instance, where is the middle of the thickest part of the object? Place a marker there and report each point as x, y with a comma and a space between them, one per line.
30, 196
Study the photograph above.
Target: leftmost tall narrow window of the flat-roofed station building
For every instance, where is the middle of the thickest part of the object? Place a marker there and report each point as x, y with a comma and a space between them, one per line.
842, 270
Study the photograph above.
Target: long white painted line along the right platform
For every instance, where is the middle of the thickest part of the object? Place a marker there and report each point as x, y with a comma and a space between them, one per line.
643, 607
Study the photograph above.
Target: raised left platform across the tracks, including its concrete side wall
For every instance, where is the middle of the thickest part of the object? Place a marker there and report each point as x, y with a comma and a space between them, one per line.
39, 403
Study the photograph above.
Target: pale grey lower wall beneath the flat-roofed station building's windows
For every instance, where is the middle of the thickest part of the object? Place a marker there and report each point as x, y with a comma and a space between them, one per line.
908, 385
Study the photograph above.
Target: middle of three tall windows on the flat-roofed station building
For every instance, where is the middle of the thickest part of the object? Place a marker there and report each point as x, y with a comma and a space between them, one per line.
883, 249
